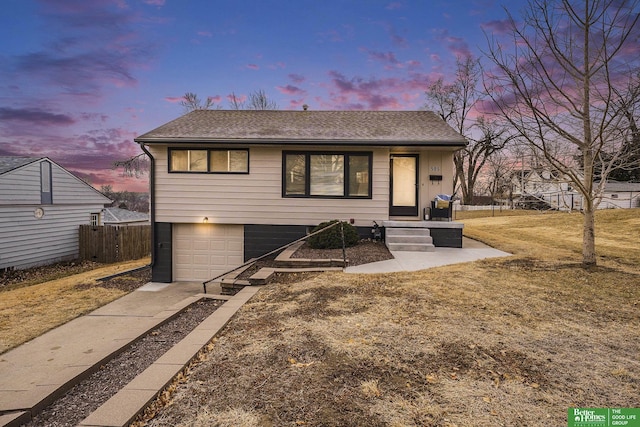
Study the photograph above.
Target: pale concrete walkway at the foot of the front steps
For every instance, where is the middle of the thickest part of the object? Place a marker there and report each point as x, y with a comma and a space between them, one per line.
471, 250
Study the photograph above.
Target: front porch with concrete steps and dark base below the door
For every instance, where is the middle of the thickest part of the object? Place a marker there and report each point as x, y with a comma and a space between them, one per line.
447, 234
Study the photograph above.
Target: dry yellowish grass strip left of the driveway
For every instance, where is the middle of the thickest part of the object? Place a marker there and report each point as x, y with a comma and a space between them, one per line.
28, 311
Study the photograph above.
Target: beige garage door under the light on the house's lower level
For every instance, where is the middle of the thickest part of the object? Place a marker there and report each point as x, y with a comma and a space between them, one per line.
203, 251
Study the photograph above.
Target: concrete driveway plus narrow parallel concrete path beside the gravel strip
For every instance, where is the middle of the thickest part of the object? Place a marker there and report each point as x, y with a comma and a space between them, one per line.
39, 371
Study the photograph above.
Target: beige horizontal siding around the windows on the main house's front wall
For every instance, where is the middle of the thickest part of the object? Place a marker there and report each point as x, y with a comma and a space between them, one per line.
256, 198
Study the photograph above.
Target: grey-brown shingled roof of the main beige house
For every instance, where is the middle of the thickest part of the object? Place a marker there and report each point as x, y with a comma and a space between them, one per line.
418, 128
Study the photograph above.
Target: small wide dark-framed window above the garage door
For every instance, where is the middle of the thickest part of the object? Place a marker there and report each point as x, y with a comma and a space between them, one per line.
209, 161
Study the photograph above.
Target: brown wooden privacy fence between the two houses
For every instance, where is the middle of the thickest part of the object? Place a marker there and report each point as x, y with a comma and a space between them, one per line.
112, 243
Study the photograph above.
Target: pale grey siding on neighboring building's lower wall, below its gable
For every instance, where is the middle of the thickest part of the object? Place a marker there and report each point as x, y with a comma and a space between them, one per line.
26, 241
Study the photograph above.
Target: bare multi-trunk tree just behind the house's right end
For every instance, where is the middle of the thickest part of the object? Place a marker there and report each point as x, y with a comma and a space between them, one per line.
457, 103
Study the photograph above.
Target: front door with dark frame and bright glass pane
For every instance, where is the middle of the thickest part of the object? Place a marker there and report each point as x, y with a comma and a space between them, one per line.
404, 185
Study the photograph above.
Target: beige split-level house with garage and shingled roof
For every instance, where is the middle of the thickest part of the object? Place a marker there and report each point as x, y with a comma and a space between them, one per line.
227, 186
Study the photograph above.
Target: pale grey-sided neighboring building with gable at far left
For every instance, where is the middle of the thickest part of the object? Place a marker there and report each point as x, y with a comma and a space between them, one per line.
41, 207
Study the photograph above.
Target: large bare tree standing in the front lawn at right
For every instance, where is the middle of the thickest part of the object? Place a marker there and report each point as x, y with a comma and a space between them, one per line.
555, 84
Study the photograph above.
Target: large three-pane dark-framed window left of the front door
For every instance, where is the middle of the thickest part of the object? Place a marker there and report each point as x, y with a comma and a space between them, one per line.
333, 175
